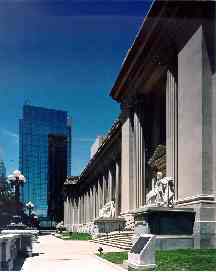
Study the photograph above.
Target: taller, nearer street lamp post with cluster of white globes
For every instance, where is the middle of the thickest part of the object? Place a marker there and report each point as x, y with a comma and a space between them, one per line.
17, 179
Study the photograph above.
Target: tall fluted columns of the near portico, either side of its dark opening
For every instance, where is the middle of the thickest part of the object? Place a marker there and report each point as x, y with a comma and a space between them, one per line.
133, 146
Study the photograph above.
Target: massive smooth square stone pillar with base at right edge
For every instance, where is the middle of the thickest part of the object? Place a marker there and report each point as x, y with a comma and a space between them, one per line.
196, 122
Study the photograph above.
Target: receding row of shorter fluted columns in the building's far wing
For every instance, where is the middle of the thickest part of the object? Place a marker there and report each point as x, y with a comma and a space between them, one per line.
84, 208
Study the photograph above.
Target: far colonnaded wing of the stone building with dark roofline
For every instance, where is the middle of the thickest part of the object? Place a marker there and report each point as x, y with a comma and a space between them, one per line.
98, 184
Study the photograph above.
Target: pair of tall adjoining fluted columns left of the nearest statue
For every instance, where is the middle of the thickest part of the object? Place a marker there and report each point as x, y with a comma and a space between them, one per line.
133, 156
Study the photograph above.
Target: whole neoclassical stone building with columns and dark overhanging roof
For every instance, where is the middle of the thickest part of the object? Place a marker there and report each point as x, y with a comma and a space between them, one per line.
167, 92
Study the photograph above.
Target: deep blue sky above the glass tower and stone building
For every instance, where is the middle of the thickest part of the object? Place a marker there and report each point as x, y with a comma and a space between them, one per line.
63, 55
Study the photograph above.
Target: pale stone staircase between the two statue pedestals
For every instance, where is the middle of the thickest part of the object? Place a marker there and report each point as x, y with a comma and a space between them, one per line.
120, 240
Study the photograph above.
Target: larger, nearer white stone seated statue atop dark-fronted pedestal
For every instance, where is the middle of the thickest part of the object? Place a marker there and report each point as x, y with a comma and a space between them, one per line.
162, 193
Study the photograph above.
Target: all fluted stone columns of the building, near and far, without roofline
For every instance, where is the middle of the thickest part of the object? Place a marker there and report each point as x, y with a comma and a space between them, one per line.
133, 160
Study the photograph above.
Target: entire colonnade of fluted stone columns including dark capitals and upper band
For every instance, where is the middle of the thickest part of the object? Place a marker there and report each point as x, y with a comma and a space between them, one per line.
110, 178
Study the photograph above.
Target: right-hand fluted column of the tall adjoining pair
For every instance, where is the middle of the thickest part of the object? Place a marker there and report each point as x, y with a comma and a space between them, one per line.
139, 155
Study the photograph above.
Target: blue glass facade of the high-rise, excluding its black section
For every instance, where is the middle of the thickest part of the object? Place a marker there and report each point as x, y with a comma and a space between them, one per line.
36, 127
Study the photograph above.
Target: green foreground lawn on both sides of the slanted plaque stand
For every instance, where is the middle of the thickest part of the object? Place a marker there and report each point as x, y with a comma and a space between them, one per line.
185, 259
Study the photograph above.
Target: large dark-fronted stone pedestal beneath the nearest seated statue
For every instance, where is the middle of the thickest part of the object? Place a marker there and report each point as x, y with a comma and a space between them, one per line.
173, 227
